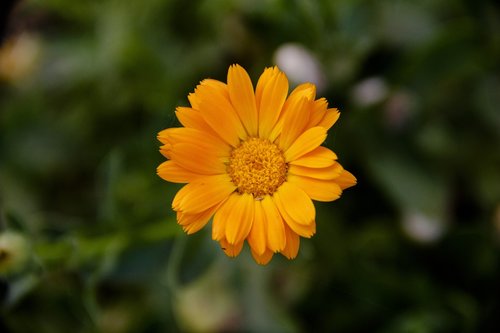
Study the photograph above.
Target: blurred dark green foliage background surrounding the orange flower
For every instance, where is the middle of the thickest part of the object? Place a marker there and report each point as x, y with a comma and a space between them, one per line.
89, 242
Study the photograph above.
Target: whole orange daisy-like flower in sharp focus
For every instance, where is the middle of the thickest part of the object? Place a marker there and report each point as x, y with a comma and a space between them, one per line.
253, 161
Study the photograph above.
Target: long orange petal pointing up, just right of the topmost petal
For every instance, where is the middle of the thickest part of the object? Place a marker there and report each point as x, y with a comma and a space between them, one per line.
272, 97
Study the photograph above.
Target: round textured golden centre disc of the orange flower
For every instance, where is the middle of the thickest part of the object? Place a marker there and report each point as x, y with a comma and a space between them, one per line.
258, 167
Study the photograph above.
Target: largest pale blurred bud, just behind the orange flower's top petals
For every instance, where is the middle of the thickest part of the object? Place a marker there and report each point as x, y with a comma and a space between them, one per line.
299, 64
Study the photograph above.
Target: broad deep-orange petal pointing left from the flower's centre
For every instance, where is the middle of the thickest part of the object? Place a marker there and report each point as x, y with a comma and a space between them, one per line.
196, 159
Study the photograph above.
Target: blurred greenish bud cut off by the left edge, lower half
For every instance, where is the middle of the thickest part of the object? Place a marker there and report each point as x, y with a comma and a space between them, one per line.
14, 252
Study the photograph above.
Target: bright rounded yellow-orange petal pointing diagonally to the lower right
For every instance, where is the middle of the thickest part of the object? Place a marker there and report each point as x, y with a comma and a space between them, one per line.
296, 202
